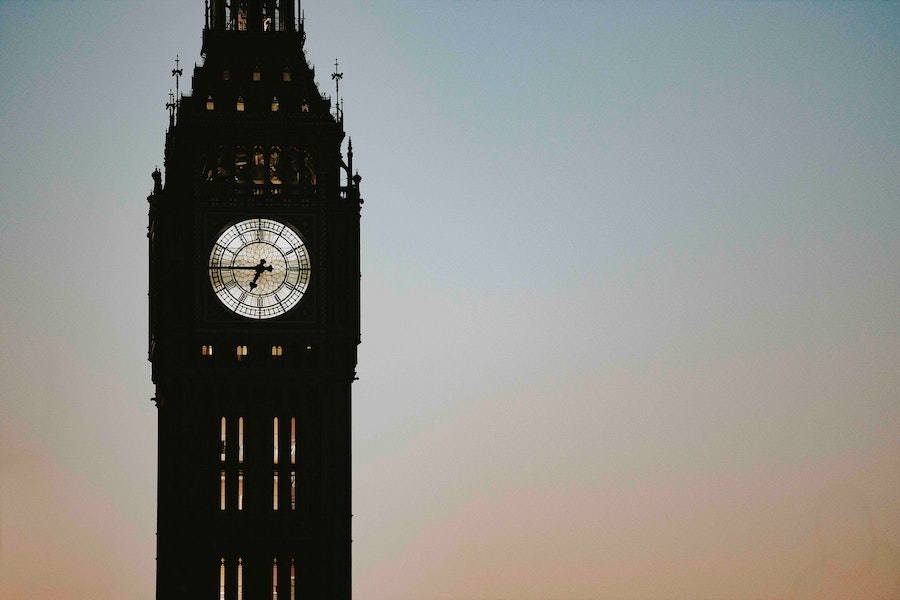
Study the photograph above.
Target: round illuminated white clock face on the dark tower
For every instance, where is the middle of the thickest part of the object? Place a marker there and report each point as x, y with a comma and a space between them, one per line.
259, 268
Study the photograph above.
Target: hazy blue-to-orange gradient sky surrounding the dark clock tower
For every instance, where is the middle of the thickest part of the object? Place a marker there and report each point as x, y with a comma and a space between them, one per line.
631, 295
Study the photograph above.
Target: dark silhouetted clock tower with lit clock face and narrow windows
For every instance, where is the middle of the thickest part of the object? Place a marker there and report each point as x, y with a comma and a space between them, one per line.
254, 319
